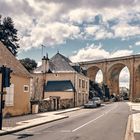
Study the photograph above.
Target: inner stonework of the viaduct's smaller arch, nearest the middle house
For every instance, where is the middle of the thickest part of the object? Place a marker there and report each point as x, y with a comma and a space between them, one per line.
92, 72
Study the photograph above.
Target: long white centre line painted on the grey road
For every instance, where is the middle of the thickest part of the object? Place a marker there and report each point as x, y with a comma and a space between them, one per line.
93, 119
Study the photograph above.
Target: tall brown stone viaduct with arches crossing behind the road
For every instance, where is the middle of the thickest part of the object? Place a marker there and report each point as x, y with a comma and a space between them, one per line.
111, 69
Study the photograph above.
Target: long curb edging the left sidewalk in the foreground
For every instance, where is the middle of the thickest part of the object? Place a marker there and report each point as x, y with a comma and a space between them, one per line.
4, 132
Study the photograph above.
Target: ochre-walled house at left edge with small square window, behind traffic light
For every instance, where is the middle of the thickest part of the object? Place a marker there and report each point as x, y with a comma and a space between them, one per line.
17, 97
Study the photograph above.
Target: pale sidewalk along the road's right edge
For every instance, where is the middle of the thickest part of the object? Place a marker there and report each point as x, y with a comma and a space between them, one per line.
134, 121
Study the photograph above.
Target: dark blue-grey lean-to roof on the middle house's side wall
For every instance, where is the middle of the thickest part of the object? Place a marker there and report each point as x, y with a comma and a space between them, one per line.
55, 86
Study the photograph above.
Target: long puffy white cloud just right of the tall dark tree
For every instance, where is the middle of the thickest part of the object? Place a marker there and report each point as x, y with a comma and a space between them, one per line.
50, 34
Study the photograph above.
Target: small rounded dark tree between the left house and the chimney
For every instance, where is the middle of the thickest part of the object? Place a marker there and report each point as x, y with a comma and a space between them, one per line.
29, 64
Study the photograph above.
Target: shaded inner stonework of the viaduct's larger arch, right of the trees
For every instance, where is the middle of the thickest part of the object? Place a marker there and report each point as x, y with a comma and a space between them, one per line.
113, 77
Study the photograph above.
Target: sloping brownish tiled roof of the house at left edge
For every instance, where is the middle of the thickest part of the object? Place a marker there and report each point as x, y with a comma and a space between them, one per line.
9, 60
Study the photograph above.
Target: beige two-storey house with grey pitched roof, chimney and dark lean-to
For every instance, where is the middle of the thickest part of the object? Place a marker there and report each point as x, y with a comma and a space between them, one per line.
64, 84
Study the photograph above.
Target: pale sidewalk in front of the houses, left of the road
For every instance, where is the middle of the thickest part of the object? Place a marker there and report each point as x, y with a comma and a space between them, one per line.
28, 121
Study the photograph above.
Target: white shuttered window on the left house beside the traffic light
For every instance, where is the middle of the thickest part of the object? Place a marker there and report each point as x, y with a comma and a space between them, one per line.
9, 97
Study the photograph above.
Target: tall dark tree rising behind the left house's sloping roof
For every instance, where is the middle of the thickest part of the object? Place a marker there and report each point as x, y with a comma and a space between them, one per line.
8, 35
